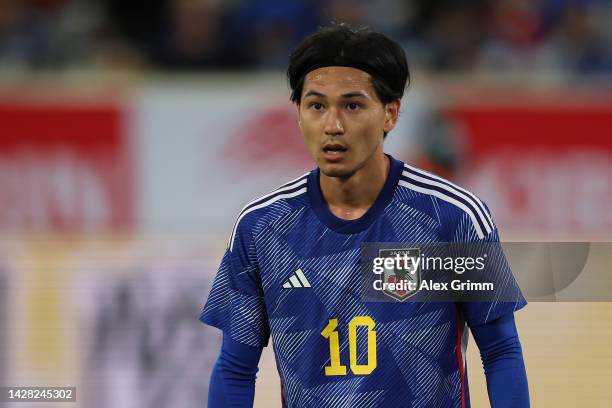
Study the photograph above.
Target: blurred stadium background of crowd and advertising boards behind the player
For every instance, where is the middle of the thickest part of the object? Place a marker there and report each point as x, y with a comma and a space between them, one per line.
133, 132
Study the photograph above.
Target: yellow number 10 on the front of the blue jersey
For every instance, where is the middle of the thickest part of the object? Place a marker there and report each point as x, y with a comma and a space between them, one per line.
335, 368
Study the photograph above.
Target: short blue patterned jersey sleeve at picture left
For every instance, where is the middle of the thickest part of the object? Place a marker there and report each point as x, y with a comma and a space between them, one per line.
236, 302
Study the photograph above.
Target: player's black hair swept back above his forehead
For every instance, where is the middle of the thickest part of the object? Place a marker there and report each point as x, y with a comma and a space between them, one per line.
361, 48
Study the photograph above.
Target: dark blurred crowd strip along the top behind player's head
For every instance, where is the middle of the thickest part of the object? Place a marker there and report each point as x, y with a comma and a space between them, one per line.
571, 36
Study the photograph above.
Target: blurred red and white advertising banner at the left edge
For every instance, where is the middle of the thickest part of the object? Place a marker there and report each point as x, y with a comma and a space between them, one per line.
64, 168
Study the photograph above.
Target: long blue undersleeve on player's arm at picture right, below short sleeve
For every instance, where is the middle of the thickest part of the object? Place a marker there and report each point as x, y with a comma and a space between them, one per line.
503, 364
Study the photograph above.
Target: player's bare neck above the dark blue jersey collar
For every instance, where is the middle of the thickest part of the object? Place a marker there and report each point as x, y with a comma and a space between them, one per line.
351, 197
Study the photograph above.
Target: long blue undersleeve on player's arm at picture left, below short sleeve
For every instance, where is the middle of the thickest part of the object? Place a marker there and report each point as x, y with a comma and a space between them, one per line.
232, 382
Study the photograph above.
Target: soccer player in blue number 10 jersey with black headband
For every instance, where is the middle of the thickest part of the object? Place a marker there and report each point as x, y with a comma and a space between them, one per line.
291, 268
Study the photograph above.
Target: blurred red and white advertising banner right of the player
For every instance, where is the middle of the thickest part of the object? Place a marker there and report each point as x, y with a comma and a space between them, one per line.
543, 167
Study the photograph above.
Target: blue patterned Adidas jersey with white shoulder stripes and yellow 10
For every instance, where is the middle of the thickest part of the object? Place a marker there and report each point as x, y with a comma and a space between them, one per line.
291, 271
